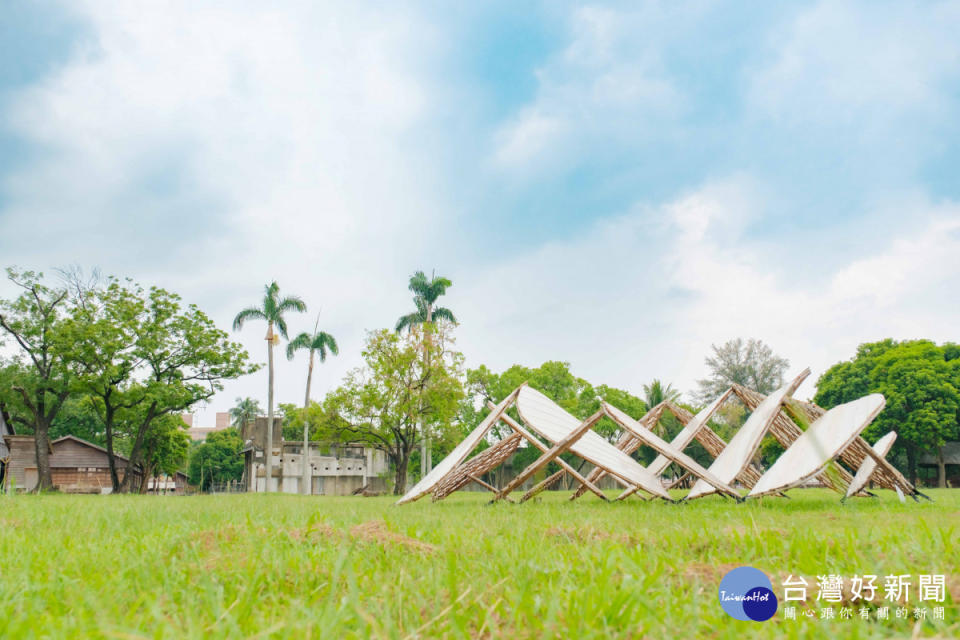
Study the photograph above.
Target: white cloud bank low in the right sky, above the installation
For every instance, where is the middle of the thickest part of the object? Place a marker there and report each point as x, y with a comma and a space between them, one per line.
646, 295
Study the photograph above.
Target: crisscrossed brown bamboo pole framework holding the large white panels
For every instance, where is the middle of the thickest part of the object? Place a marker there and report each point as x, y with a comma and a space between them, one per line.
452, 475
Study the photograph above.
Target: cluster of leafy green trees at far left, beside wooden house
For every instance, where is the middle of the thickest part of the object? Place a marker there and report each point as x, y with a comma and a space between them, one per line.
114, 360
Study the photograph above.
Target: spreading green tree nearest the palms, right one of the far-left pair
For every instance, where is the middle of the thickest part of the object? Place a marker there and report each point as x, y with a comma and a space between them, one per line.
141, 355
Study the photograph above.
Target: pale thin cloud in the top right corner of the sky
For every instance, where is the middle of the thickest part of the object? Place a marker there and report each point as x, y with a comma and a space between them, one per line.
854, 64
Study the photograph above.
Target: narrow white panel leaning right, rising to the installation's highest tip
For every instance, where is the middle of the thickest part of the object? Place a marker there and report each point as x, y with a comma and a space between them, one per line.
743, 445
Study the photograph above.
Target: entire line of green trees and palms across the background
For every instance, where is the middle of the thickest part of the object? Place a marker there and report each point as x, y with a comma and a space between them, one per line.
116, 363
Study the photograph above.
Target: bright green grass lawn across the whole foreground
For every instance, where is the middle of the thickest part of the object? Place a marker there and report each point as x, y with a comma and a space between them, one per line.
291, 566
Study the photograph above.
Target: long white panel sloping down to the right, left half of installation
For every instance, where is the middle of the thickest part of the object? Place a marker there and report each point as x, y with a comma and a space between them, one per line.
550, 421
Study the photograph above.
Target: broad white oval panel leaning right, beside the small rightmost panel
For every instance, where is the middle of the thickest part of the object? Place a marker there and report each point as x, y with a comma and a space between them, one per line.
822, 442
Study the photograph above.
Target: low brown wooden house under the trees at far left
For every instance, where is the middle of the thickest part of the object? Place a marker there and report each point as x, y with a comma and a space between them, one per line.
76, 466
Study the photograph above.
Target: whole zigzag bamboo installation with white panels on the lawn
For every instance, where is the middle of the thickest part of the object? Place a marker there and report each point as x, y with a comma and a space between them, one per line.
815, 440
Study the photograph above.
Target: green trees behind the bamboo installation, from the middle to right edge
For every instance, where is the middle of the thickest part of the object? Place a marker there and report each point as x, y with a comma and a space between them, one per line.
379, 403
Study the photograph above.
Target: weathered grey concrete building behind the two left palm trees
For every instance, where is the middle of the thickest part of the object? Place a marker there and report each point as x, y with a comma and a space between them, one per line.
336, 469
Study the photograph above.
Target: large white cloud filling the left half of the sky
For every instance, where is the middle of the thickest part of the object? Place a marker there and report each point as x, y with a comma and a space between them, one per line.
213, 149
